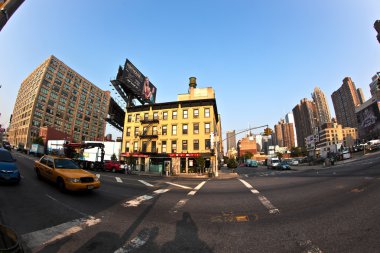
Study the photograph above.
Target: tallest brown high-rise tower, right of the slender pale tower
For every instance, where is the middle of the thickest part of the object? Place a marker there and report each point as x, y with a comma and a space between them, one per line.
345, 99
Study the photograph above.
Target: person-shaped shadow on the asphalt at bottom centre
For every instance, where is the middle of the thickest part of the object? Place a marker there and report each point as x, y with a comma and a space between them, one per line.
186, 238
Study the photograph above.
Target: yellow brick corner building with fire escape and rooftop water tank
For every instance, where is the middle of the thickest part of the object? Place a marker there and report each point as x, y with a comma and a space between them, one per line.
171, 137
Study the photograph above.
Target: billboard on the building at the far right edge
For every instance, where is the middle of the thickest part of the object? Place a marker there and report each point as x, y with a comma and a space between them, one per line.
369, 121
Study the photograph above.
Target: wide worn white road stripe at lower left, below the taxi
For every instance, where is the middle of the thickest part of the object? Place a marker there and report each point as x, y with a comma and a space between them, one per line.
49, 235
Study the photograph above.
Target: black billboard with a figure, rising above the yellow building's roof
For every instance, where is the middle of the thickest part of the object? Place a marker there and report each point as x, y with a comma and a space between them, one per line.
138, 83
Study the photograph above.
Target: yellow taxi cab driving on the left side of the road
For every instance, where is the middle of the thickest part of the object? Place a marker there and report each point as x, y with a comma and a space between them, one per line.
65, 173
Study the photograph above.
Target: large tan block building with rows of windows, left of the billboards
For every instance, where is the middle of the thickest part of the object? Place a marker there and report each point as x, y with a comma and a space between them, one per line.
54, 95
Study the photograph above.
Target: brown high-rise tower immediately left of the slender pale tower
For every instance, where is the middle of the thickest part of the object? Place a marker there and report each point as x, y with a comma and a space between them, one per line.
306, 120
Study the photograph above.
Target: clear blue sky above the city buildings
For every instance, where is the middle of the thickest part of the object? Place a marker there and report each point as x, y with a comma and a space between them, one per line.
261, 57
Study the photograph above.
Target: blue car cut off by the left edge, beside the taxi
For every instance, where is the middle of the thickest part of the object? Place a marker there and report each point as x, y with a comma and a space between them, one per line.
9, 171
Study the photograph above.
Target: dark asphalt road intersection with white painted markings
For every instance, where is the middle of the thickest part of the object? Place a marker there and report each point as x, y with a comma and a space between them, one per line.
316, 209
